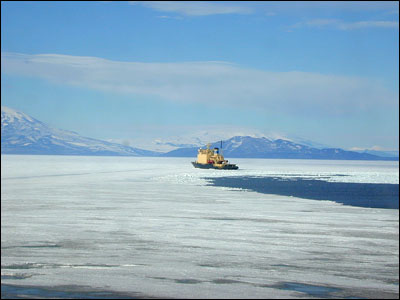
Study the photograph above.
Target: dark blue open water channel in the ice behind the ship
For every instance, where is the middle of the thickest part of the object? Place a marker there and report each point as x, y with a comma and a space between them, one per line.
374, 195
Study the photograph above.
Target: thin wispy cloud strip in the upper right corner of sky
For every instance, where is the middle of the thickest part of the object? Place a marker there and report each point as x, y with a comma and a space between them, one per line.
342, 25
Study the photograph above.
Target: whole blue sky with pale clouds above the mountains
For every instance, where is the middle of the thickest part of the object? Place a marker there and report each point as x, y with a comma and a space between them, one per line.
324, 71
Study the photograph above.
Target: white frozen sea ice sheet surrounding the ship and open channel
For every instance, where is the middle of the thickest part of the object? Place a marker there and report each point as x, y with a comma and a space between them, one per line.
152, 227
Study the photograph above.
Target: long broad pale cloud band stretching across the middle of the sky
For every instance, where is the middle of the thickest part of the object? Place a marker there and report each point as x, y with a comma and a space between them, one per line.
216, 84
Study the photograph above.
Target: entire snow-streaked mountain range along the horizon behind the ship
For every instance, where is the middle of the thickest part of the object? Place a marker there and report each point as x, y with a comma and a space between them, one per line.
23, 134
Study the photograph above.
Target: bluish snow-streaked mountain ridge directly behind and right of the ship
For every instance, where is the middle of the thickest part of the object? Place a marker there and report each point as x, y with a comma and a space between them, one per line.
253, 147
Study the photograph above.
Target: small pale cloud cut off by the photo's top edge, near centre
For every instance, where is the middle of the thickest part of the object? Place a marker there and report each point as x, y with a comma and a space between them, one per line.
195, 8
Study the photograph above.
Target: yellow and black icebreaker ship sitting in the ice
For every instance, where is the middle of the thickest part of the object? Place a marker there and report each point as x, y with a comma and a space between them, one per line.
212, 159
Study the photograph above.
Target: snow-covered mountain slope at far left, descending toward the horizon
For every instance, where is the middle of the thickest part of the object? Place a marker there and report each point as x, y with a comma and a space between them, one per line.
22, 134
